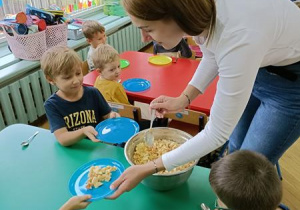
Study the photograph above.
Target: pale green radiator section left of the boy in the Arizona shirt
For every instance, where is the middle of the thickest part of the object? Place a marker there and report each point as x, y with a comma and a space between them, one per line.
23, 100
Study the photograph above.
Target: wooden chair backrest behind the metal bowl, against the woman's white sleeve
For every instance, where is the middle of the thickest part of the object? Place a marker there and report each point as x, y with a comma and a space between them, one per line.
190, 116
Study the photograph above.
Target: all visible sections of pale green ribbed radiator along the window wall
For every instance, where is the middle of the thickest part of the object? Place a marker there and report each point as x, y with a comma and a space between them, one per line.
23, 100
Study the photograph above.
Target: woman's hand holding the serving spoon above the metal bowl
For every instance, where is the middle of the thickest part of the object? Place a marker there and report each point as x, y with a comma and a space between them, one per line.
166, 104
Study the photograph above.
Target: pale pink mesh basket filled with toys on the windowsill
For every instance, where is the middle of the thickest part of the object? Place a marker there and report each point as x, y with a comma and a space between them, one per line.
30, 34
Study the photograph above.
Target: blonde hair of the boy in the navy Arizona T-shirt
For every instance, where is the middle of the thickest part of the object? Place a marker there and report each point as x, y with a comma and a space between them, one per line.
59, 60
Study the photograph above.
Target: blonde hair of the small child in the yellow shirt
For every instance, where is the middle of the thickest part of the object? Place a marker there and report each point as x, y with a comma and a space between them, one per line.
103, 55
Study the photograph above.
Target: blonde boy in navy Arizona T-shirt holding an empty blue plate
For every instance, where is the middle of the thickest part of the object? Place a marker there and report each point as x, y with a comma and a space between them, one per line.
73, 111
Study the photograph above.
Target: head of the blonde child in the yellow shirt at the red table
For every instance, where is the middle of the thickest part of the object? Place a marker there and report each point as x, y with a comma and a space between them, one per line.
107, 61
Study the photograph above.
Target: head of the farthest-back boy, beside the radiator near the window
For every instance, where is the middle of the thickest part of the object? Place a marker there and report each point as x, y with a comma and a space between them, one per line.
94, 33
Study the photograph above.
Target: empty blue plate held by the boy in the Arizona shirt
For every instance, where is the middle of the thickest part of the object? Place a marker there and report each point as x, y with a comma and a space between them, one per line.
116, 130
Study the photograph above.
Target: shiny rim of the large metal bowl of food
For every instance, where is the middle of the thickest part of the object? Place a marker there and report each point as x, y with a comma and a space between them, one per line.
157, 174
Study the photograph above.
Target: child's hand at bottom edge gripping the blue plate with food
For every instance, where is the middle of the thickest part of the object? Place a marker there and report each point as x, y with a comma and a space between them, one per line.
76, 202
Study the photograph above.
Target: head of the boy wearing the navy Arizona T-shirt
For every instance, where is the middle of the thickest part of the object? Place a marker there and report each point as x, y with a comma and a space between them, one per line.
62, 67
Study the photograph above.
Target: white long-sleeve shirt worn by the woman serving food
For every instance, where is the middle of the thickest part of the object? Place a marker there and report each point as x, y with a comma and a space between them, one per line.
249, 34
